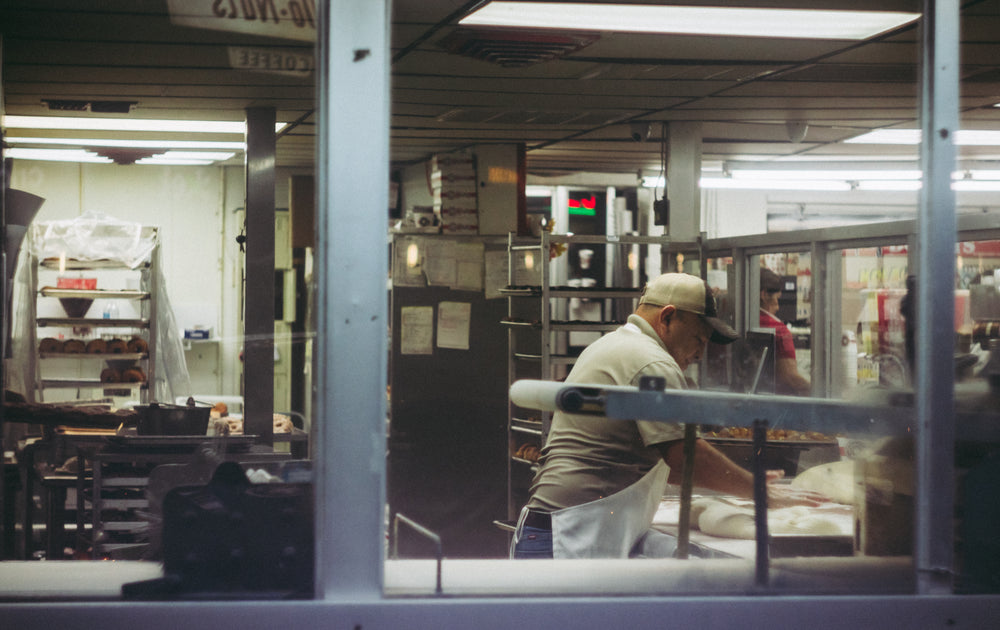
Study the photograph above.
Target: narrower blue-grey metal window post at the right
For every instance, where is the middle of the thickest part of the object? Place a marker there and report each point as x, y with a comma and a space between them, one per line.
936, 233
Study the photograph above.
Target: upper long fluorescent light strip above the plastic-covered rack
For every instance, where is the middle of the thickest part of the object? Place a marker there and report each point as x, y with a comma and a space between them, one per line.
128, 124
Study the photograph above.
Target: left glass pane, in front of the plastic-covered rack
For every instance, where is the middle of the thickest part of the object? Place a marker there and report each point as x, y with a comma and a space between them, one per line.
133, 289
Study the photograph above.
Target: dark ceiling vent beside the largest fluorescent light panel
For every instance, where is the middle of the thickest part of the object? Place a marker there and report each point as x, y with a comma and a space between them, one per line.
512, 48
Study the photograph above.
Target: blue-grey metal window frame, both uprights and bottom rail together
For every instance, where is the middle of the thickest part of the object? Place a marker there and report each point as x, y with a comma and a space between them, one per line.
350, 474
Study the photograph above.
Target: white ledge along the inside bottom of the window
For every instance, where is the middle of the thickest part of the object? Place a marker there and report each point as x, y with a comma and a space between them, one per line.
101, 581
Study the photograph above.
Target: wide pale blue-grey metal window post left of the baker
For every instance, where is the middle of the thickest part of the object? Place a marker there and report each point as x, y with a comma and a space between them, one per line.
352, 174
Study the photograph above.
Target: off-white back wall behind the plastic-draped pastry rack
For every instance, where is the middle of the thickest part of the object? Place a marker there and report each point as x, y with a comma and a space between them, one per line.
198, 210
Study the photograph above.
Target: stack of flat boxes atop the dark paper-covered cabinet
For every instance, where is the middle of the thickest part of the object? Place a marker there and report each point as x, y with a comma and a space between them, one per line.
453, 185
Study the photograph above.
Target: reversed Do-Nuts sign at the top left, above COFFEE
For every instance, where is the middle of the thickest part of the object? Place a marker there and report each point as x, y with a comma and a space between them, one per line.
286, 19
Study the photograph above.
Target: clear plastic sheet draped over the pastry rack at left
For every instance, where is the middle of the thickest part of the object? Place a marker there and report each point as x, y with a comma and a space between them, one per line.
95, 236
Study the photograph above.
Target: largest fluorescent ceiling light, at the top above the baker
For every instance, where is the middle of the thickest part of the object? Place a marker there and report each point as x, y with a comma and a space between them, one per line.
691, 20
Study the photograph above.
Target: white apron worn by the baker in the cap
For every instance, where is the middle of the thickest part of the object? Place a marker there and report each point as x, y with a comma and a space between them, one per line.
608, 527
